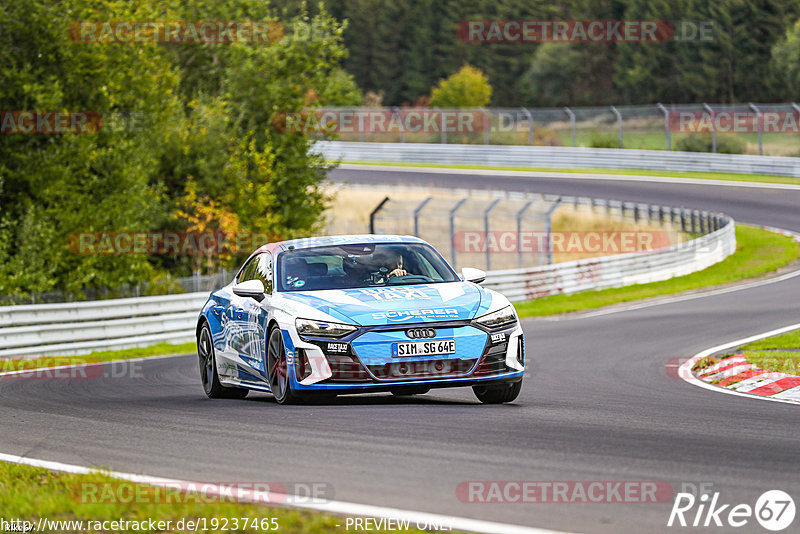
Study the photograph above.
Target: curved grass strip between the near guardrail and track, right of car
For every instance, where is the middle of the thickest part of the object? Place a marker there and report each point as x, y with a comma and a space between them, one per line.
757, 252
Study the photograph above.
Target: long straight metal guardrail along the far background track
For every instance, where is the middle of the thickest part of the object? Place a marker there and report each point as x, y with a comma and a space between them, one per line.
558, 157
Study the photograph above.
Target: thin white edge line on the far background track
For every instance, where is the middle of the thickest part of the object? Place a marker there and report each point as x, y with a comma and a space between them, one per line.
572, 176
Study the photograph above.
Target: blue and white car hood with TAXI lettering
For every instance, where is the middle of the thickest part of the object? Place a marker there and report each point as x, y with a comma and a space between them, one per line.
421, 303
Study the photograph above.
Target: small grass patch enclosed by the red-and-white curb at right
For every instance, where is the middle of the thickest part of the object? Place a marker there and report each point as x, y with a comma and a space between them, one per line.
778, 354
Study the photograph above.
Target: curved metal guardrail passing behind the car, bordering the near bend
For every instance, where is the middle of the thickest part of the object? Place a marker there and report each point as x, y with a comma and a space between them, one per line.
78, 328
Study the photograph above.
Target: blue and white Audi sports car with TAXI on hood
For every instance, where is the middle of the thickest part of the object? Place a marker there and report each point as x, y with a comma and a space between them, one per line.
357, 314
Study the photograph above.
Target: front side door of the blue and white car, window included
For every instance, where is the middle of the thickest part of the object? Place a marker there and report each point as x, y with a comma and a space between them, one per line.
250, 319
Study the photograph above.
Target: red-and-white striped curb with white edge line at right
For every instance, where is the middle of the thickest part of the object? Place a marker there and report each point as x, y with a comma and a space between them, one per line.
739, 377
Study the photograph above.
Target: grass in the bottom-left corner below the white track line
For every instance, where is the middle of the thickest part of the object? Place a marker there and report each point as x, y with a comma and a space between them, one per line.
31, 492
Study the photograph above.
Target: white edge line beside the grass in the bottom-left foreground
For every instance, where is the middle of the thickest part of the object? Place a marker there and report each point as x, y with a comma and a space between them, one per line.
332, 507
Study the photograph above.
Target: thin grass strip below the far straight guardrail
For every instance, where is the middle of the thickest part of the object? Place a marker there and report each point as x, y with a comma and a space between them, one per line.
762, 178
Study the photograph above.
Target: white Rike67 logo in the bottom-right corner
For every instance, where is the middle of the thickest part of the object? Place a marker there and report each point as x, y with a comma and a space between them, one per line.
774, 510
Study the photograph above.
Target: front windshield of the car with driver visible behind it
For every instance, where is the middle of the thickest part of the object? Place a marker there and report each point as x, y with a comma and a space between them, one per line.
361, 265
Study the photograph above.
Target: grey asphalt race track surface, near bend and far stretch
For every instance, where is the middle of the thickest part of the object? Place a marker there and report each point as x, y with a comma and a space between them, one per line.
597, 405
